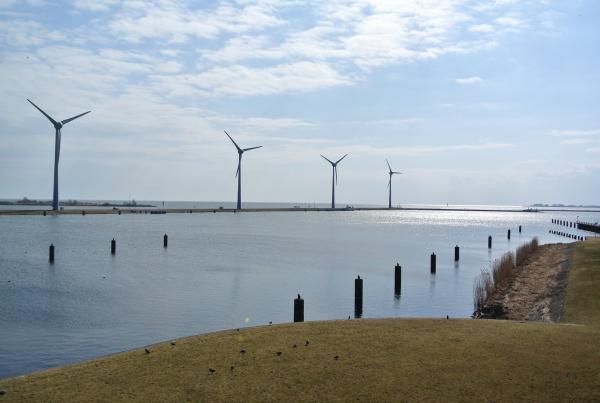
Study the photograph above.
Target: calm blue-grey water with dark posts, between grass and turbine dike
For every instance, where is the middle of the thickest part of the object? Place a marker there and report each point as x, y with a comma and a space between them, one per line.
231, 270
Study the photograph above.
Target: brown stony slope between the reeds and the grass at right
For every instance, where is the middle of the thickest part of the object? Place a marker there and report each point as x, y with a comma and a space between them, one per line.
536, 292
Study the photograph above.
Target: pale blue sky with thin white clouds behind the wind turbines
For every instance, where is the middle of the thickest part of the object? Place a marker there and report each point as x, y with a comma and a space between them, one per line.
476, 102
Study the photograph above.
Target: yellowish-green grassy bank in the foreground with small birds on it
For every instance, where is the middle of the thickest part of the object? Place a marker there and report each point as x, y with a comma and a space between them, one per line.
382, 360
